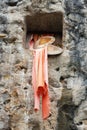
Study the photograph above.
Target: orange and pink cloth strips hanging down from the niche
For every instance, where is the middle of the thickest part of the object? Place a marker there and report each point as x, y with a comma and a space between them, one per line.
40, 80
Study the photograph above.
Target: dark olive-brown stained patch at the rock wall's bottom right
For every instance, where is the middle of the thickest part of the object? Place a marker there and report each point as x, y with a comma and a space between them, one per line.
66, 111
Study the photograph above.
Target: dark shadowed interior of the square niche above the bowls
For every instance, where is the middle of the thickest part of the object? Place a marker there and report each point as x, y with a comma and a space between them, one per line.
45, 23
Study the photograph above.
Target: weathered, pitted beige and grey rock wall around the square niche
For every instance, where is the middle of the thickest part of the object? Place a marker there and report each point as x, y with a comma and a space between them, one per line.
67, 72
